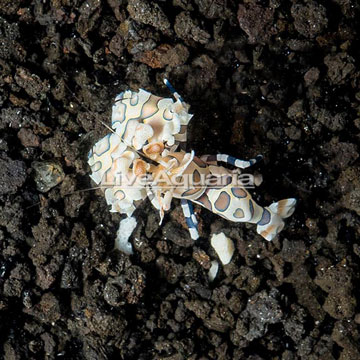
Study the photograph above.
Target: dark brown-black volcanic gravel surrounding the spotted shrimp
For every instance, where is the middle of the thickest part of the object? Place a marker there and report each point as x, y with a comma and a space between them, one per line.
279, 78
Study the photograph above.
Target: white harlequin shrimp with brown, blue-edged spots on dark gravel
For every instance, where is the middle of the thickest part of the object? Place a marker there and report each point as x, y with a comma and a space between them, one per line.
144, 157
